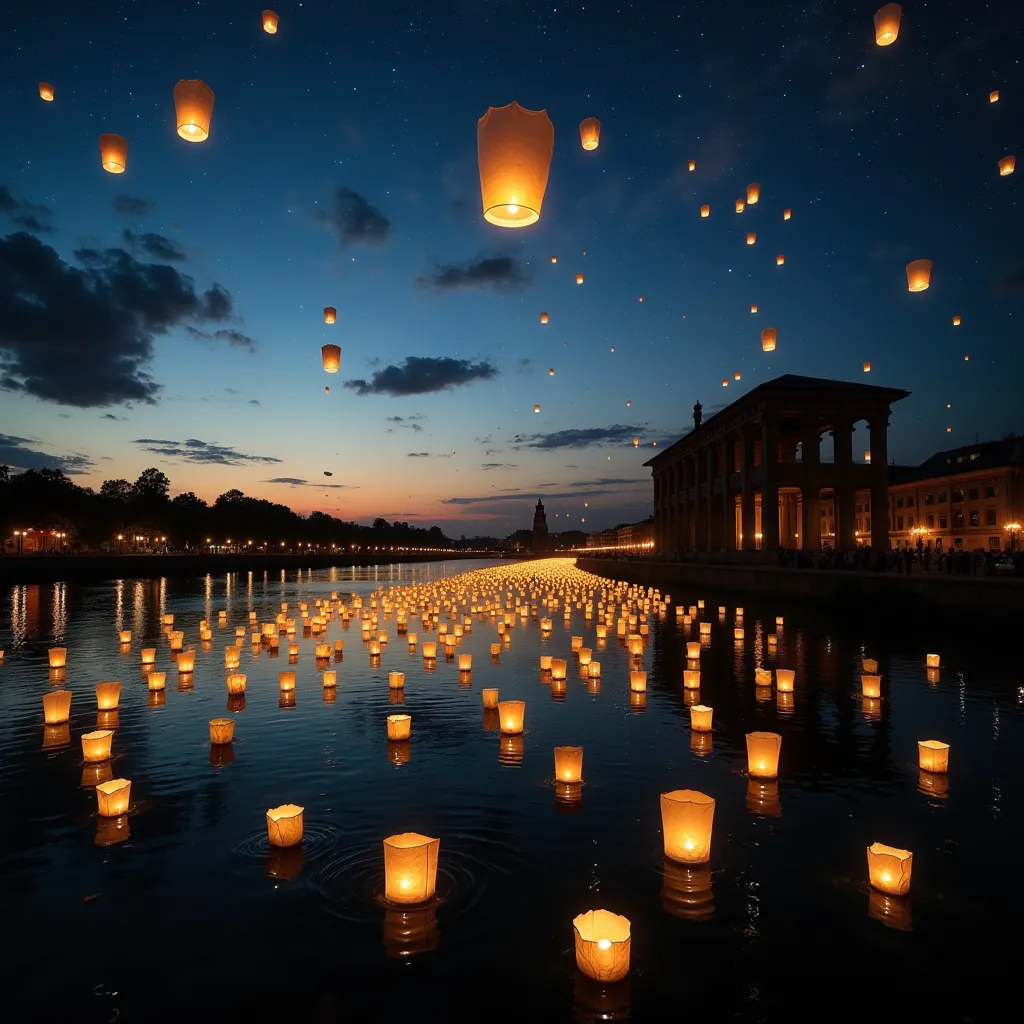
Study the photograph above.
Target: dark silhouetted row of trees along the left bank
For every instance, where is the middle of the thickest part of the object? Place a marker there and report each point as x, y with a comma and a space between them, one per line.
48, 499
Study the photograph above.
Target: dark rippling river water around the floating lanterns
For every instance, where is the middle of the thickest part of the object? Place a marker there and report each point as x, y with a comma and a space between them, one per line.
193, 915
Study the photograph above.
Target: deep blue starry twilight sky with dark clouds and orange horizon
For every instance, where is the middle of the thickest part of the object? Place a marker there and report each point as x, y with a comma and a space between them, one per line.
173, 316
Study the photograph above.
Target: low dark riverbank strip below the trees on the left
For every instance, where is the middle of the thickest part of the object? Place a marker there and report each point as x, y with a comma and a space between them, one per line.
98, 568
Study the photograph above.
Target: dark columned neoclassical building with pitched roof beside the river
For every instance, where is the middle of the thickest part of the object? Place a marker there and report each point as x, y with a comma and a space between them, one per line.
752, 478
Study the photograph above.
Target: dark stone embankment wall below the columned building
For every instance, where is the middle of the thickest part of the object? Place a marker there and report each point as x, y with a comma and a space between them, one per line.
876, 593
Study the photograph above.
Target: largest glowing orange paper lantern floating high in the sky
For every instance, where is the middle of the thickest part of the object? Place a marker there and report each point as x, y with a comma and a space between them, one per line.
515, 148
